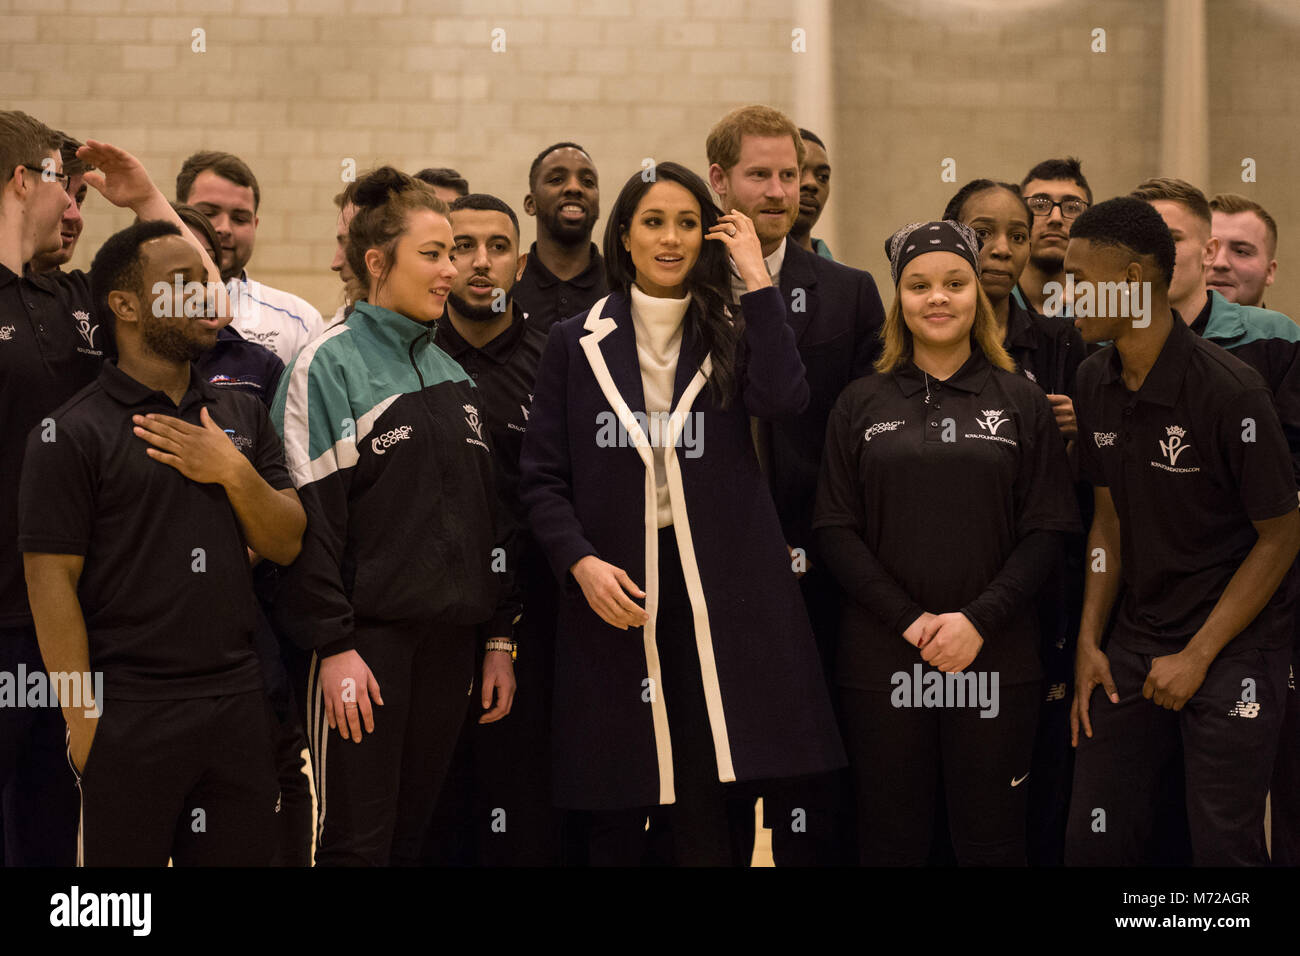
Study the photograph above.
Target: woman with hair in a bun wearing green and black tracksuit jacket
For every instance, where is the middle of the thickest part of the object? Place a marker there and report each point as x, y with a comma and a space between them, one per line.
405, 548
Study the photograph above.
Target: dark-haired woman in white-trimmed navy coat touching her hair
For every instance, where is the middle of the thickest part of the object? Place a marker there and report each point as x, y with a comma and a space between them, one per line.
640, 481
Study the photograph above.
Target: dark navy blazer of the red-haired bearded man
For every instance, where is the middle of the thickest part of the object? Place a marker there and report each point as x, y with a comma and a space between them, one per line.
837, 315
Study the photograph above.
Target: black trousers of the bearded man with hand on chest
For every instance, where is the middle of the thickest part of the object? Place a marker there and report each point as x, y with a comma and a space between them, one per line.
189, 780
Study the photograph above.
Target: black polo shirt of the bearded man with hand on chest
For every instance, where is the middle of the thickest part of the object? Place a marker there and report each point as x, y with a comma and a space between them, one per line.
166, 590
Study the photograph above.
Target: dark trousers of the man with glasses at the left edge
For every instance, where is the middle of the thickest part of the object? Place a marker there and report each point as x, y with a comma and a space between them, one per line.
38, 791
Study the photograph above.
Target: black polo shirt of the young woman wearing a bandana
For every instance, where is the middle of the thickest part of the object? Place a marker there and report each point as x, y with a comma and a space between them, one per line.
942, 481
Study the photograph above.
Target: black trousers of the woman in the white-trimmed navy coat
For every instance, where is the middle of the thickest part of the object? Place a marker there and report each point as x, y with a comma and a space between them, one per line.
701, 825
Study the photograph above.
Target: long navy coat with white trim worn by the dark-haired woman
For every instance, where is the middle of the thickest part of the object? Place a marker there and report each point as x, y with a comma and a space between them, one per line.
770, 715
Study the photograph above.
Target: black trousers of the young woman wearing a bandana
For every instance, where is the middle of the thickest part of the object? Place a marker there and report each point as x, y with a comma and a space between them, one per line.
902, 756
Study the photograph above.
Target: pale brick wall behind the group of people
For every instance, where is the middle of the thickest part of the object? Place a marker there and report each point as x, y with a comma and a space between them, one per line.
296, 86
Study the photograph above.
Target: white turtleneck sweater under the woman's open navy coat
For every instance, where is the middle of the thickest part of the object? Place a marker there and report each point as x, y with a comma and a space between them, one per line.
658, 328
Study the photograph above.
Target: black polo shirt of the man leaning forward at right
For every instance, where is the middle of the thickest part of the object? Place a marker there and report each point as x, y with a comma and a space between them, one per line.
1191, 460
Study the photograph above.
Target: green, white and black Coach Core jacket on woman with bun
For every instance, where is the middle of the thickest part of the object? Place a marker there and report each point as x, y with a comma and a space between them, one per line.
405, 521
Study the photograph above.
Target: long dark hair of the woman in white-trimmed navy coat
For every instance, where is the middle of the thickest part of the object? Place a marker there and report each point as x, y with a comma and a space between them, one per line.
709, 280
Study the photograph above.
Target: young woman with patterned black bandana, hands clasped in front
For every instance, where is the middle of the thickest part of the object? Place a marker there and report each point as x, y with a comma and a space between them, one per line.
938, 659
